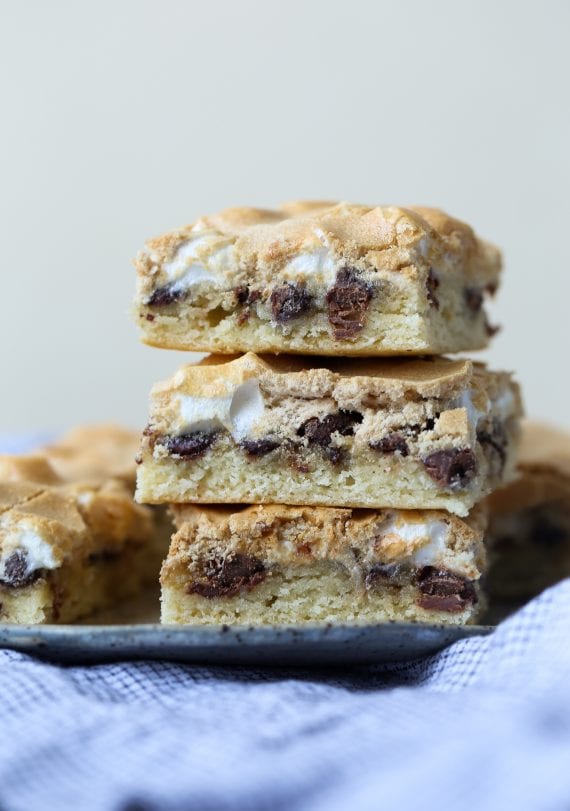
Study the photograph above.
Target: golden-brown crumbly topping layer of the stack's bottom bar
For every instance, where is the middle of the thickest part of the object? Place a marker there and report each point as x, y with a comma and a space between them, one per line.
287, 534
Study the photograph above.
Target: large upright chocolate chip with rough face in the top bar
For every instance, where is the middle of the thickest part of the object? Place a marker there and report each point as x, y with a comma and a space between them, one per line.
347, 303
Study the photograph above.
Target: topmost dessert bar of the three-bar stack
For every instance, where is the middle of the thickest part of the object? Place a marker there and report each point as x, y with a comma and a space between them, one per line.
318, 277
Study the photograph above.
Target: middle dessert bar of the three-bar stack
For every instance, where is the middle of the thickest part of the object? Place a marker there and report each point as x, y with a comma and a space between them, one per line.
430, 433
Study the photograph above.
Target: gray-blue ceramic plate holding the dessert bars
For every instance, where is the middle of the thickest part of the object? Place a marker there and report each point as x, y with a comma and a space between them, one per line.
141, 637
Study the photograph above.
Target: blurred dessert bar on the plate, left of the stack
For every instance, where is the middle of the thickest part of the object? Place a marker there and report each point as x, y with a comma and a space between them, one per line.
68, 546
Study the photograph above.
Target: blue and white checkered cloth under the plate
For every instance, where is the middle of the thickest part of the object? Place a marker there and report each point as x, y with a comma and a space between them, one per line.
483, 725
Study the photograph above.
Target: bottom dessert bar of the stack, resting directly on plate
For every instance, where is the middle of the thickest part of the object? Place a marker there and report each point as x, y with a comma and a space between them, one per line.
283, 564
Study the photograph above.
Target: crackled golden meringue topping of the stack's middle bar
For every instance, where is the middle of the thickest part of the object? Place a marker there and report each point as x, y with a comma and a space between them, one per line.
301, 384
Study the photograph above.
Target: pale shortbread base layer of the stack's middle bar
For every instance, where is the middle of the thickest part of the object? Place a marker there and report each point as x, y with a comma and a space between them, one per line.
225, 475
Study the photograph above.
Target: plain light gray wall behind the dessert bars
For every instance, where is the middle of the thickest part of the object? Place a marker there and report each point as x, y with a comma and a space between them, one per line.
124, 119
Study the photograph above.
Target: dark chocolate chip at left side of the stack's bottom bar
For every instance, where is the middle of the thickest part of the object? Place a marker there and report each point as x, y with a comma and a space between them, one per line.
226, 577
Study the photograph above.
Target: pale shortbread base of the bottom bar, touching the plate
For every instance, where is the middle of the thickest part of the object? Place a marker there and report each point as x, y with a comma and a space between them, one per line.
319, 593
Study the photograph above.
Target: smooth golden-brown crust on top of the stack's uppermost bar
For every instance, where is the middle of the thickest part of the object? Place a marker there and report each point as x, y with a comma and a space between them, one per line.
388, 237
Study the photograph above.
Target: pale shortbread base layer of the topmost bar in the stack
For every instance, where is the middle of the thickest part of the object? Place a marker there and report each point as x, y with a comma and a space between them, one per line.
393, 326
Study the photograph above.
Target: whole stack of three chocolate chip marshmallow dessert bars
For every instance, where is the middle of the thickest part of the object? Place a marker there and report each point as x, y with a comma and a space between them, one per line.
328, 463
